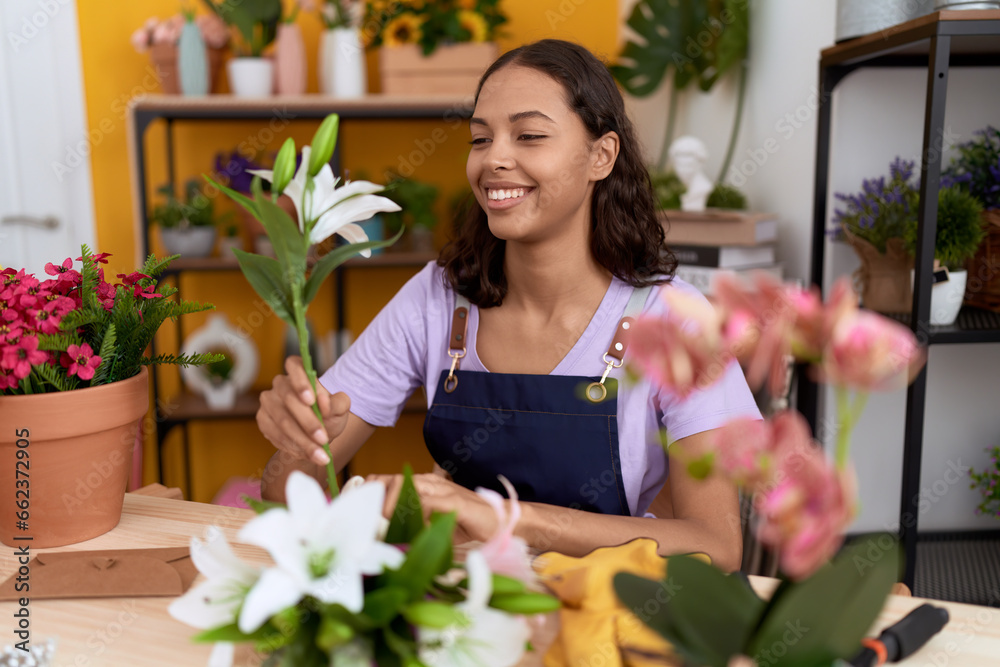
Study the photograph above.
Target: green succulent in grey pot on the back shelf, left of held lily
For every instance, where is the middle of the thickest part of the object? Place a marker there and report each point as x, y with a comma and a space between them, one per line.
187, 225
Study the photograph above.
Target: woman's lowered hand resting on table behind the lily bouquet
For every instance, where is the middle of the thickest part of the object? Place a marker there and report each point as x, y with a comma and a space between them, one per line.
476, 519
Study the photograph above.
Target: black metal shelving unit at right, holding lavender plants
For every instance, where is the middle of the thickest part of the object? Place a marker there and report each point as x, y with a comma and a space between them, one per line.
936, 42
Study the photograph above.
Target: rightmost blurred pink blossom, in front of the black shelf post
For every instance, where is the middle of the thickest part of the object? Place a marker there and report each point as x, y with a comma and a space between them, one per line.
871, 352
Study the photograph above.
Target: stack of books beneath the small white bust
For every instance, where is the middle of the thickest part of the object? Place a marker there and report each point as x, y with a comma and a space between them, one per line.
712, 242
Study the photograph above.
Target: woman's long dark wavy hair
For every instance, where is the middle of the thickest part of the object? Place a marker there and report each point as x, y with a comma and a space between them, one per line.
627, 237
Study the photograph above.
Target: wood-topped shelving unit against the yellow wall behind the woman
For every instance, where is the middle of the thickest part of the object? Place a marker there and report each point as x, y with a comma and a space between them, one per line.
144, 111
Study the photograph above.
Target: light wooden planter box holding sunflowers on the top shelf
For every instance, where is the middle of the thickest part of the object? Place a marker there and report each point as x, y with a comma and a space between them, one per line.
453, 69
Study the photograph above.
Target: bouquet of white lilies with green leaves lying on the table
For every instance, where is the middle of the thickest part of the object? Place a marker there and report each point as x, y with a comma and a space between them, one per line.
339, 593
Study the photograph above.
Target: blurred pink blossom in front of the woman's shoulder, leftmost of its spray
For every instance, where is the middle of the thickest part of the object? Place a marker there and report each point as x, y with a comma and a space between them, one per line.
681, 350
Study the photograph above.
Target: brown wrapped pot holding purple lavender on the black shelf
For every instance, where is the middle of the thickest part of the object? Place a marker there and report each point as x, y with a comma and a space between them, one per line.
884, 278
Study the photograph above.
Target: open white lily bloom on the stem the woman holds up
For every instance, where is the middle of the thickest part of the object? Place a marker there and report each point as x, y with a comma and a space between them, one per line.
337, 209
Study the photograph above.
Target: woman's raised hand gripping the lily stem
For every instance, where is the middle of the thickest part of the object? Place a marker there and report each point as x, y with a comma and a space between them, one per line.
286, 417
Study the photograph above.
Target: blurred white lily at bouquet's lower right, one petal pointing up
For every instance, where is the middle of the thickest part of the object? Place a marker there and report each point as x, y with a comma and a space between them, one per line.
491, 638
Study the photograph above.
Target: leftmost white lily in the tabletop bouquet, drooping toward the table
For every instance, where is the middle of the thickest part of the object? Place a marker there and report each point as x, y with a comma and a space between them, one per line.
216, 601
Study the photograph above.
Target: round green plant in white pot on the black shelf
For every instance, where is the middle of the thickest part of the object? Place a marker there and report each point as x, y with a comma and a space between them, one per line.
959, 233
